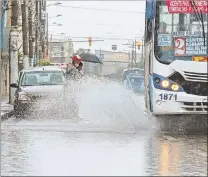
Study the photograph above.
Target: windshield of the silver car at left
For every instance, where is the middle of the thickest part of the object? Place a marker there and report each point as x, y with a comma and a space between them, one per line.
38, 78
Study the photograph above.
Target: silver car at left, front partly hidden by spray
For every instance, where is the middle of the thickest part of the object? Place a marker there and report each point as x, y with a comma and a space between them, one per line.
36, 88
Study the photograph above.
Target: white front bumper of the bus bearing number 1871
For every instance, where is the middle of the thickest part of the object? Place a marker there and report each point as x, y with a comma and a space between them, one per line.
184, 104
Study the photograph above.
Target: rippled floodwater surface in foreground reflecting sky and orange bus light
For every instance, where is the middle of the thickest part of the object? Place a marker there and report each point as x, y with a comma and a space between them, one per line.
55, 152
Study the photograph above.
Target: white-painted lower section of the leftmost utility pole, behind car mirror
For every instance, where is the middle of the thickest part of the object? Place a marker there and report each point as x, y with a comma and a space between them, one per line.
14, 35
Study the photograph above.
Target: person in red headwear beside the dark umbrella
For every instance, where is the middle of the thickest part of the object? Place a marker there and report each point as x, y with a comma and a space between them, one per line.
75, 71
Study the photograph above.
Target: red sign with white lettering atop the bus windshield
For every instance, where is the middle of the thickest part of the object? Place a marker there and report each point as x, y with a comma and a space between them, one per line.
185, 6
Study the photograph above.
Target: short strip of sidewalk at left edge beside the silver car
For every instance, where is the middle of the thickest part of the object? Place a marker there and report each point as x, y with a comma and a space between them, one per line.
6, 108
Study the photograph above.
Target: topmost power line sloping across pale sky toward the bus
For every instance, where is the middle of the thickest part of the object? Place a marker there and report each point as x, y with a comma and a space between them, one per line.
108, 10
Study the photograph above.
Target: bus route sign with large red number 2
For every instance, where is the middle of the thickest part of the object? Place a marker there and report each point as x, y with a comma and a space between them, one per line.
191, 46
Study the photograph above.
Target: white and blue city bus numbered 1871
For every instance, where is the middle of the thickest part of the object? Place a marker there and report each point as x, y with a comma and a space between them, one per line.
176, 57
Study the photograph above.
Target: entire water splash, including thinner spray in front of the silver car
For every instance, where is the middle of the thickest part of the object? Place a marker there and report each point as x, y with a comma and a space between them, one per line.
101, 103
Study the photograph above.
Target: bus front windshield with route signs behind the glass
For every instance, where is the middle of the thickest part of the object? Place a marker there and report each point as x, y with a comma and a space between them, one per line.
179, 33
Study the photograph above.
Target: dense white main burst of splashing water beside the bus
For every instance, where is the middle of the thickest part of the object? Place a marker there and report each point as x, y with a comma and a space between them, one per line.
105, 103
